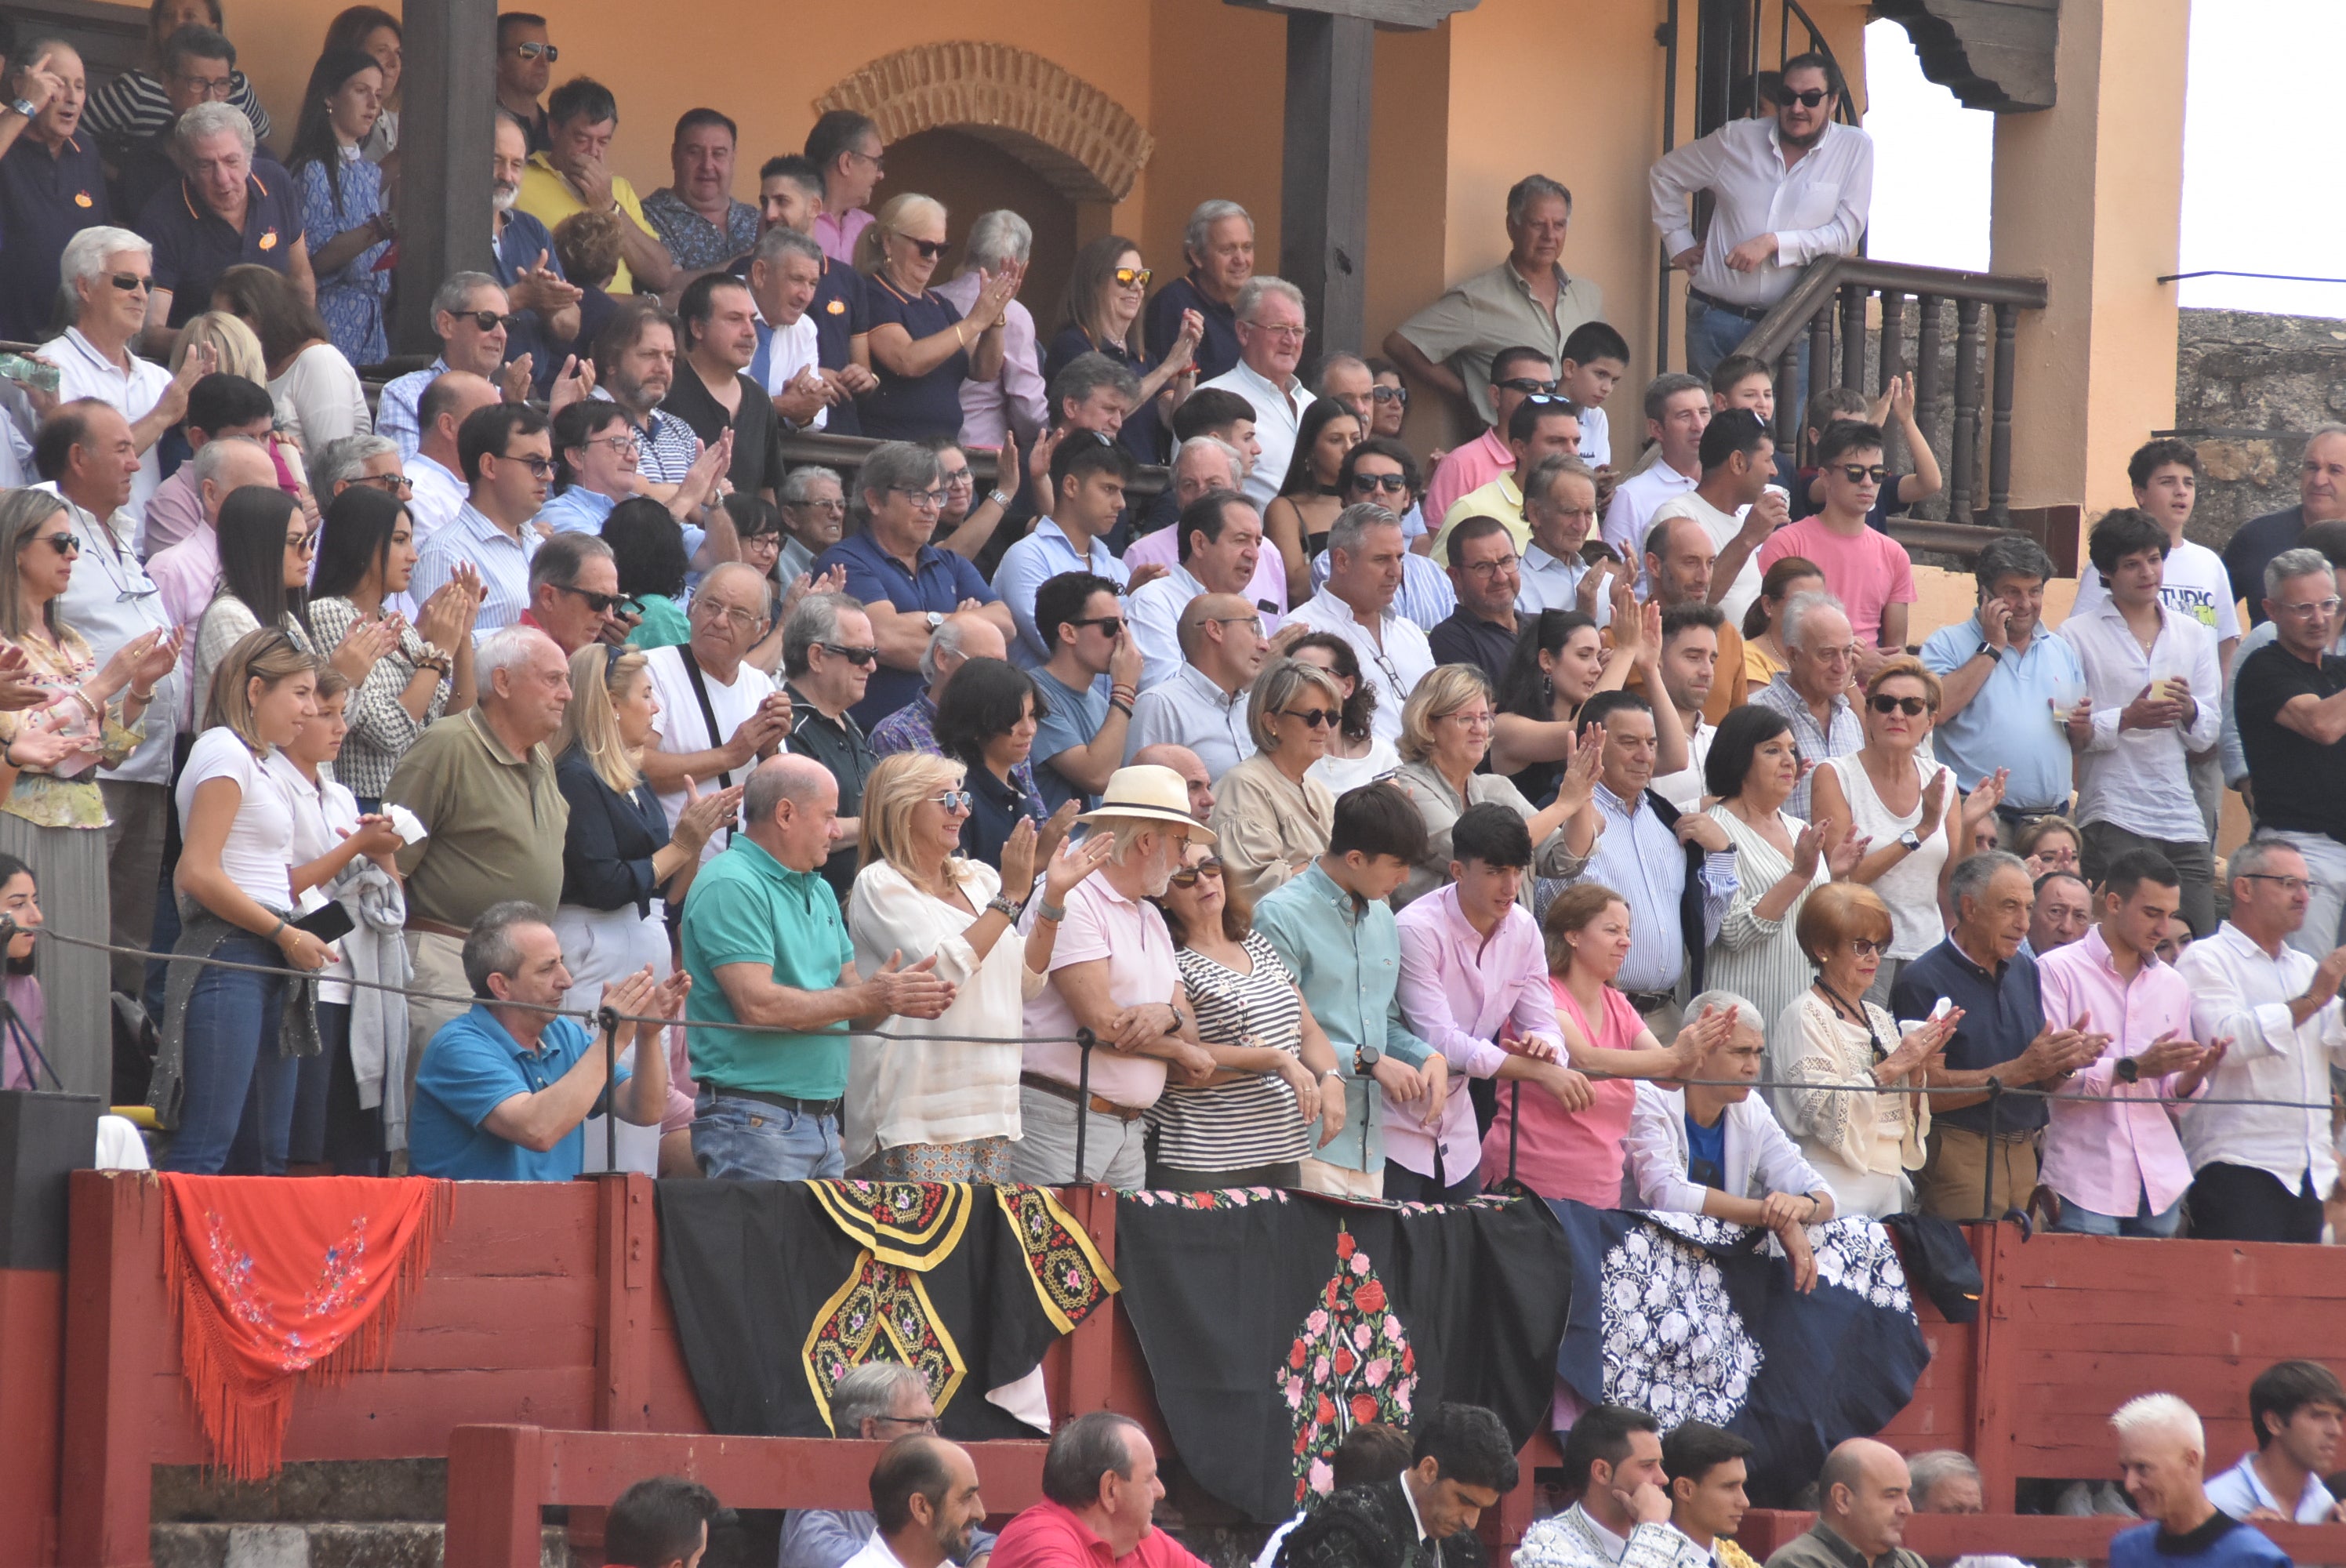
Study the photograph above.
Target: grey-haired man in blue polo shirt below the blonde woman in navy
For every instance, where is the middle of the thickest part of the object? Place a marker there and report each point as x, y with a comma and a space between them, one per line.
907, 586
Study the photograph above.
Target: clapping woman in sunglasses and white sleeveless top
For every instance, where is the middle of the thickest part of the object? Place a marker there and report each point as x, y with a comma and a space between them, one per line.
1906, 806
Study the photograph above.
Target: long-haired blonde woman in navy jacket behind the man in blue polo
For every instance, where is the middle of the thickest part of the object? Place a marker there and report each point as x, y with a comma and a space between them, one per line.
621, 860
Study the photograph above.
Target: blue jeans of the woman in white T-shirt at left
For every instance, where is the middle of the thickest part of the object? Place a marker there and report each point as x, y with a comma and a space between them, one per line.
238, 1109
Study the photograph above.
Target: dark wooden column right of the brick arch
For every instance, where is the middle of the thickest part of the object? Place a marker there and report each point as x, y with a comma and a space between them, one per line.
1324, 175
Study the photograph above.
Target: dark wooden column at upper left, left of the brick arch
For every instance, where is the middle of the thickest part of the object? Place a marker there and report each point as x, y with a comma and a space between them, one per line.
445, 144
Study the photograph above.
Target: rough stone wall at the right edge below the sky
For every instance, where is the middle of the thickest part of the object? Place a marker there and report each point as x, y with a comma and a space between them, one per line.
2246, 393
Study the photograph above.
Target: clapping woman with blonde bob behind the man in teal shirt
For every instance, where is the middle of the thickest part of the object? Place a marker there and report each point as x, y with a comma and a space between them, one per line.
1444, 738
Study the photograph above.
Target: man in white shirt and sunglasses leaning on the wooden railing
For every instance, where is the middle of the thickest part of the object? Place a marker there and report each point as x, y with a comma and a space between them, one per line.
1784, 194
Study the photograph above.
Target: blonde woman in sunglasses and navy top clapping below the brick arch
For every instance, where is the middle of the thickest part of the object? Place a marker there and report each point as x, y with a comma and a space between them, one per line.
921, 346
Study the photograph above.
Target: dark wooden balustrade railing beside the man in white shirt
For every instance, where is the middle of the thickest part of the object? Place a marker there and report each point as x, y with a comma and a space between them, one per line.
1831, 299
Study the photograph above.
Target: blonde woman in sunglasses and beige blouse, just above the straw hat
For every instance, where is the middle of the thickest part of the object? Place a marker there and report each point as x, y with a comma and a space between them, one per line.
1268, 813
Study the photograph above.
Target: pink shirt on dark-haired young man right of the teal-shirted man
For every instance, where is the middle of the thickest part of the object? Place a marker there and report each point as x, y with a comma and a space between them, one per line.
1458, 994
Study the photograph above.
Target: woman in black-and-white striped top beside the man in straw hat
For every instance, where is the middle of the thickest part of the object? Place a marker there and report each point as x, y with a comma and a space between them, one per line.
1263, 1114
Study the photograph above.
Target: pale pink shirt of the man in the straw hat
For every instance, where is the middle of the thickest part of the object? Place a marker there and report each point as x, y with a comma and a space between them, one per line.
1134, 938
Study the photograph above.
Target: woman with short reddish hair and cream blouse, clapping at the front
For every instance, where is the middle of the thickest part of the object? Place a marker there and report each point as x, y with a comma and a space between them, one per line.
1843, 1050
